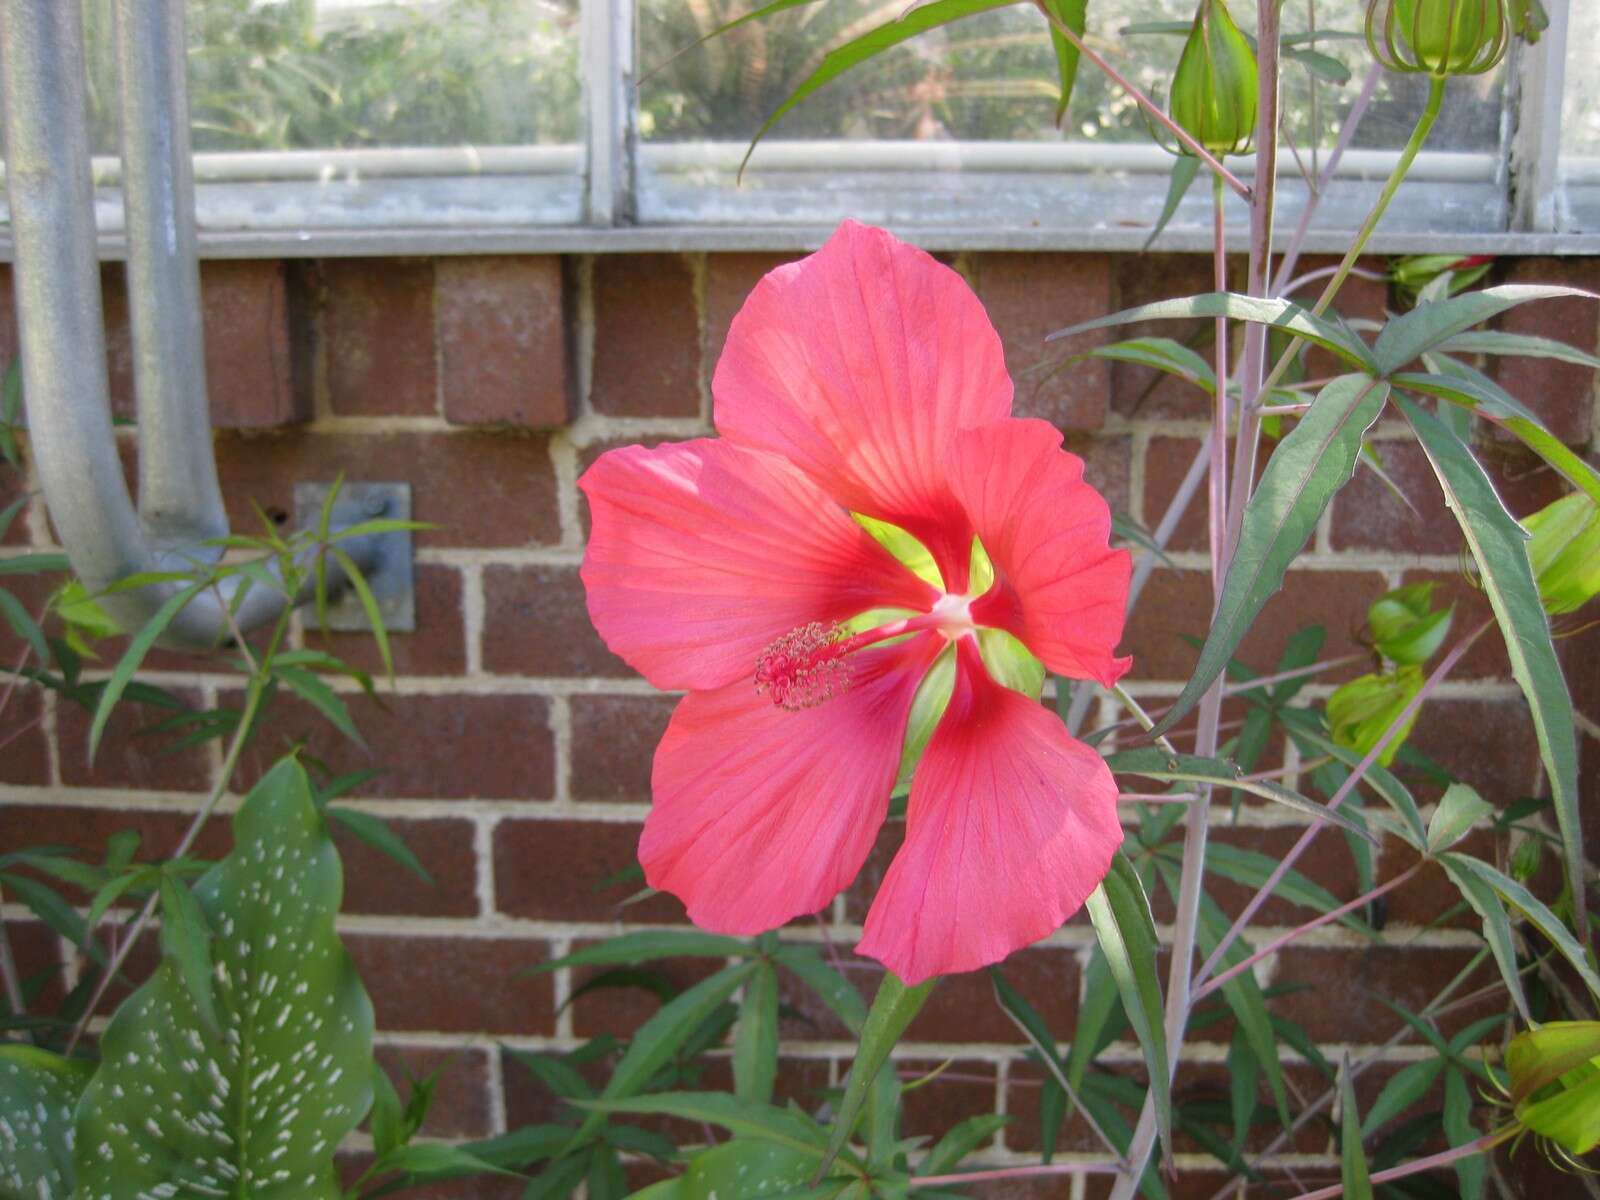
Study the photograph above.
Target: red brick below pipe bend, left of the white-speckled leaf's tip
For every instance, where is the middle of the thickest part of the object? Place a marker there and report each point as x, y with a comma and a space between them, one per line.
130, 753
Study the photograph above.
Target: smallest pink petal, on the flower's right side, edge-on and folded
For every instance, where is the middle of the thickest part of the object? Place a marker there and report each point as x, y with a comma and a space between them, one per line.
1060, 588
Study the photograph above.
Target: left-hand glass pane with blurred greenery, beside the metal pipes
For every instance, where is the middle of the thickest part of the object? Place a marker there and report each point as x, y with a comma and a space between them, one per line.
361, 74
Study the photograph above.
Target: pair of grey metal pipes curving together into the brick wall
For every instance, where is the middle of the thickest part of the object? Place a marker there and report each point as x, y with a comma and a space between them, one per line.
62, 321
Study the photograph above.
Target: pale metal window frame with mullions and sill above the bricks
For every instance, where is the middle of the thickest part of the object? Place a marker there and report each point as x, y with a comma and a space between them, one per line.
610, 193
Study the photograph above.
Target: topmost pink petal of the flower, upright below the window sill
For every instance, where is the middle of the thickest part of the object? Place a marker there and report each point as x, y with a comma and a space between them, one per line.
860, 364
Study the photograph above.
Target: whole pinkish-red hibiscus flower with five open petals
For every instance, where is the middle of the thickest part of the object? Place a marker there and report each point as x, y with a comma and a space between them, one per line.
865, 383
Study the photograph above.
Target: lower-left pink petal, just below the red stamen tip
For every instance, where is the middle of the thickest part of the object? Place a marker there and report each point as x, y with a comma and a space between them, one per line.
761, 814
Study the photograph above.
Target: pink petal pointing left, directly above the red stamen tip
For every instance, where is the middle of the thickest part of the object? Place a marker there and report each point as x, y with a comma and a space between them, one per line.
703, 553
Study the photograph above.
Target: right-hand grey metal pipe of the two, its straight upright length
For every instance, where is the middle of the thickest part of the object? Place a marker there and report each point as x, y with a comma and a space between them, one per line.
180, 500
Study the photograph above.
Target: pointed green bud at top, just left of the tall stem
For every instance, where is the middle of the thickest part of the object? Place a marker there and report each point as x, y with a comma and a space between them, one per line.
1215, 89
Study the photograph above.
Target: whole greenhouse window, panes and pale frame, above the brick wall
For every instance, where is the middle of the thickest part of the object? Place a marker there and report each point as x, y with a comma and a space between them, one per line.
428, 126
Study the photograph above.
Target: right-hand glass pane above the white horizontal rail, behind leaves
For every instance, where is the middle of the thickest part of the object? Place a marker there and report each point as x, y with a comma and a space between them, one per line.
994, 78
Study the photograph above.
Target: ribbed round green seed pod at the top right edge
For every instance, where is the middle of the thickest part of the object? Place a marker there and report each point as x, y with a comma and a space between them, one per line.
1439, 38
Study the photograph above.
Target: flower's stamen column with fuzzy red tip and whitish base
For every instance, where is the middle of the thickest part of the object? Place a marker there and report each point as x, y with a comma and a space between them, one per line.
810, 665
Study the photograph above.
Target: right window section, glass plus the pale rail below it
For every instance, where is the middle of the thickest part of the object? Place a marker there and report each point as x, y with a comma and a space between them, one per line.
970, 110
